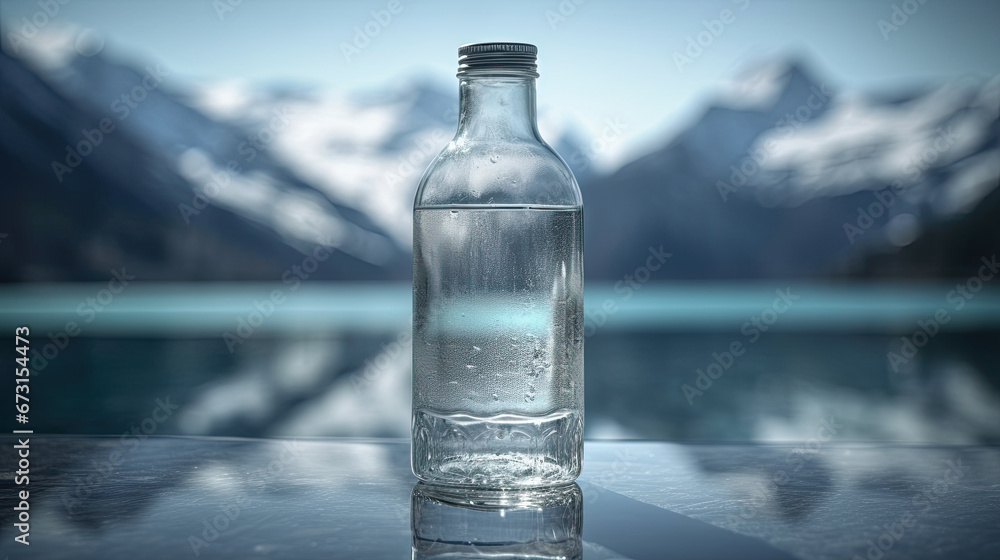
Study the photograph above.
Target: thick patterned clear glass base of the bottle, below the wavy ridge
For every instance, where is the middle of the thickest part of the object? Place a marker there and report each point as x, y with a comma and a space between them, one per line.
503, 451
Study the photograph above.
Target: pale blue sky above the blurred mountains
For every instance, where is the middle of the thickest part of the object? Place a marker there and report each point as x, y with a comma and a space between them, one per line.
598, 59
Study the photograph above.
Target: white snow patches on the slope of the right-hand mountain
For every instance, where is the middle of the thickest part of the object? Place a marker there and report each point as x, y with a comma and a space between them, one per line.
860, 143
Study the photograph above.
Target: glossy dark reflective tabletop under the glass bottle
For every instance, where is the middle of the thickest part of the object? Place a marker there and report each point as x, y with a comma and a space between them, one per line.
165, 497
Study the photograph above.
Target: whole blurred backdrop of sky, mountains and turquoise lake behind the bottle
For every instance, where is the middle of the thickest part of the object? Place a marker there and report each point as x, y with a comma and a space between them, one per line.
792, 210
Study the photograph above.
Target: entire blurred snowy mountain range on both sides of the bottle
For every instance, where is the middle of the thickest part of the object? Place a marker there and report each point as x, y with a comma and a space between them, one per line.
111, 164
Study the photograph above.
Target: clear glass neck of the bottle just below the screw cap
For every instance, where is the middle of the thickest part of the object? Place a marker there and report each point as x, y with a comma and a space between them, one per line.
493, 108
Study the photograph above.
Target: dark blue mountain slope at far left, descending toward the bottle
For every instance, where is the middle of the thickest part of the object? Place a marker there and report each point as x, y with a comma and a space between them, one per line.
109, 165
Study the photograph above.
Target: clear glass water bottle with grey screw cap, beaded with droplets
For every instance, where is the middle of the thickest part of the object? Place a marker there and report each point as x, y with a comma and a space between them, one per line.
497, 291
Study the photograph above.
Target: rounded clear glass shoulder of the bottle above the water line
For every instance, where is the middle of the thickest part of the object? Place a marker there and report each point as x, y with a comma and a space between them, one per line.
497, 172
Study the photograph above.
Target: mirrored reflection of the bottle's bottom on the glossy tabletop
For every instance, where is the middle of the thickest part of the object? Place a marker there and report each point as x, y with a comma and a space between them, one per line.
458, 523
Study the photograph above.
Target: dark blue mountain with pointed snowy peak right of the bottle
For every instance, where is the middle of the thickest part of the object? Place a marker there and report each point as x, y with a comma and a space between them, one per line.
784, 175
